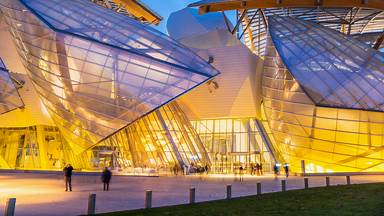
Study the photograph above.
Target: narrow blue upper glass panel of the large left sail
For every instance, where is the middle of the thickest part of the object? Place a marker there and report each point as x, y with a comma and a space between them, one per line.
85, 19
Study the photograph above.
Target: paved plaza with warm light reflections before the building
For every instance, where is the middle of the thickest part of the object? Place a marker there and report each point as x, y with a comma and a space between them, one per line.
44, 194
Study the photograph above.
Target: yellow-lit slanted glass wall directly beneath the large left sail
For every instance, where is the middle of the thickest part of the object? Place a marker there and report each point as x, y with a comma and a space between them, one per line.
159, 140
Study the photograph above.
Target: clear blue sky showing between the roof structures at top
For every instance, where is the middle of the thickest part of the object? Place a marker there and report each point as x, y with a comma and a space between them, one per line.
166, 7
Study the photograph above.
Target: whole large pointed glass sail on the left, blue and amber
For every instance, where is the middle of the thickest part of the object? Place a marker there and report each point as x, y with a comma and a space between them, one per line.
95, 70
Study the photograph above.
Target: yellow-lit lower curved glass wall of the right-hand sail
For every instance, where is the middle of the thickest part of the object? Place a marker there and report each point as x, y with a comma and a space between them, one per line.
328, 139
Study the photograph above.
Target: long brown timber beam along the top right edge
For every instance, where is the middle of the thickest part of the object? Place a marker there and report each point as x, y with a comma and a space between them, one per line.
224, 5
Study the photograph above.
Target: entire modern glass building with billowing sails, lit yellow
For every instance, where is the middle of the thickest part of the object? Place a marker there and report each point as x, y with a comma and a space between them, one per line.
298, 84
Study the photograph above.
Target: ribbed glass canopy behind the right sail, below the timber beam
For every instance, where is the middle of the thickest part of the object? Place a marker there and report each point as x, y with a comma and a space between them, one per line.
351, 21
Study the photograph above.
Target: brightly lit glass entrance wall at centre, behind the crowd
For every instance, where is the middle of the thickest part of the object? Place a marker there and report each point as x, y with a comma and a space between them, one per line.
234, 142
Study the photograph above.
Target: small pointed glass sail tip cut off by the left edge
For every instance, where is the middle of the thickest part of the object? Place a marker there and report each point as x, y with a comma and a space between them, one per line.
9, 96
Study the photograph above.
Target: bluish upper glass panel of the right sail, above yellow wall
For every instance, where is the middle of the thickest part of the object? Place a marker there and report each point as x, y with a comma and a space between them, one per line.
335, 70
